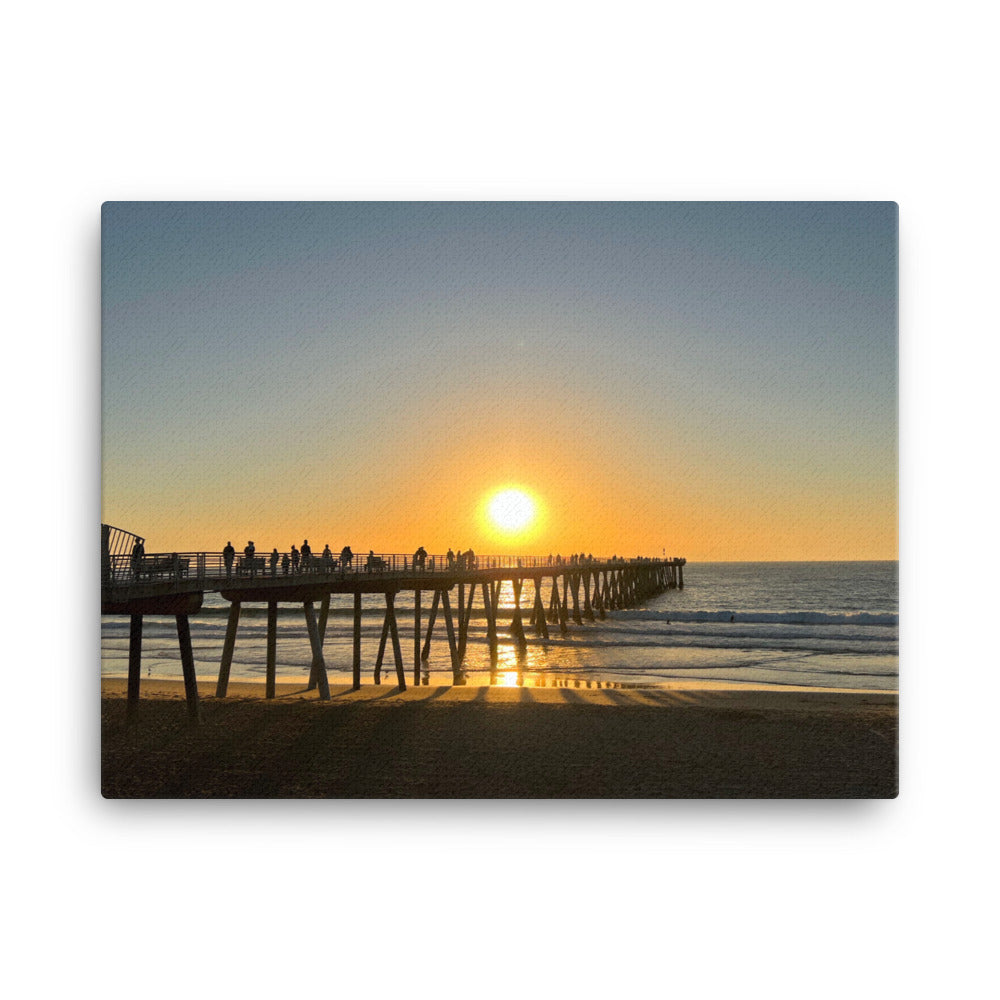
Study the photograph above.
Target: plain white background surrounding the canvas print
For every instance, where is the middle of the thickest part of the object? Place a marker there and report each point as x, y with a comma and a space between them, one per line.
113, 101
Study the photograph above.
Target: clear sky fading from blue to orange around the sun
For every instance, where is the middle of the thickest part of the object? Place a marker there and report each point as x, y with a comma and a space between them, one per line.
711, 380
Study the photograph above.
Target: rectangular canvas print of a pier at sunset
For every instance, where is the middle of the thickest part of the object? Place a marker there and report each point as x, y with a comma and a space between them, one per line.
499, 500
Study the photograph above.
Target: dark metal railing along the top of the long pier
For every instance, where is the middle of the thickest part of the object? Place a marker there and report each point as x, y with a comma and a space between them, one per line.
211, 567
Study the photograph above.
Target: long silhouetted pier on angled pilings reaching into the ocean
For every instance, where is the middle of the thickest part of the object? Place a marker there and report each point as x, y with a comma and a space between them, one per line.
579, 588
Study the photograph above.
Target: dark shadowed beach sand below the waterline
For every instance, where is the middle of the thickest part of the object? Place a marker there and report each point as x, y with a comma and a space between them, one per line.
682, 741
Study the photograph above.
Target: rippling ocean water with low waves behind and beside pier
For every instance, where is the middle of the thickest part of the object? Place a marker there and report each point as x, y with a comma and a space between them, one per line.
806, 624
